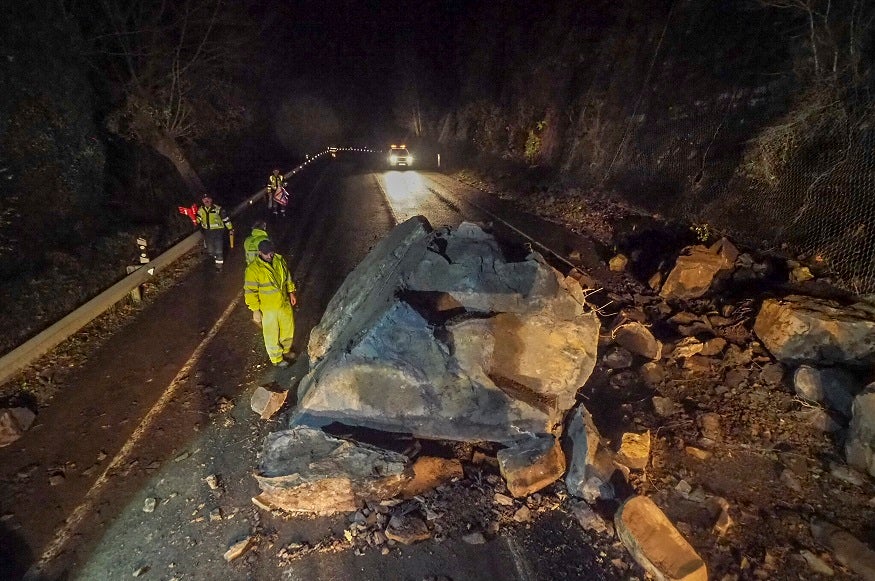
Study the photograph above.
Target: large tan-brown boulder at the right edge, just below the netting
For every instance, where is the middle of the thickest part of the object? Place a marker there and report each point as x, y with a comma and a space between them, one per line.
798, 329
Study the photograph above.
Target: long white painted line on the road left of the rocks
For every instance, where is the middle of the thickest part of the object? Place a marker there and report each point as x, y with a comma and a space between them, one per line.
66, 532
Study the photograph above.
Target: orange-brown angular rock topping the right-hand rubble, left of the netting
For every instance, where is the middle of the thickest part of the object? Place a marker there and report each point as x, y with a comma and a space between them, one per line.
696, 270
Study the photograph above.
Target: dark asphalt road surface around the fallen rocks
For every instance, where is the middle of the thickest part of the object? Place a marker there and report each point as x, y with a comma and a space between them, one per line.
166, 403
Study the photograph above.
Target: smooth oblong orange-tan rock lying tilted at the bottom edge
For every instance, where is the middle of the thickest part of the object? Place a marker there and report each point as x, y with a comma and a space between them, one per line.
655, 543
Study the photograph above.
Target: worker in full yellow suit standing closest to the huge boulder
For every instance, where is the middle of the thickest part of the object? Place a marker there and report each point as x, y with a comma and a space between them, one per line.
269, 293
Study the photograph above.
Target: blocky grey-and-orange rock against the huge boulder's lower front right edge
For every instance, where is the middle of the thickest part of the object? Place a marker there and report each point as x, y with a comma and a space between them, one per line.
531, 464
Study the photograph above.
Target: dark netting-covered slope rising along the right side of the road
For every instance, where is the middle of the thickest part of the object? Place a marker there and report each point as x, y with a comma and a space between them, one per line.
753, 119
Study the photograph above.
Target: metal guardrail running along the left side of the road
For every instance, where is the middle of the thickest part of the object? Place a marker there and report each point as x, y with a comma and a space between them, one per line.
54, 335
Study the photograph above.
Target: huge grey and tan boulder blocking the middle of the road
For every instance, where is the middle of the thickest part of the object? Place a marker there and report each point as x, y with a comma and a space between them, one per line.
506, 363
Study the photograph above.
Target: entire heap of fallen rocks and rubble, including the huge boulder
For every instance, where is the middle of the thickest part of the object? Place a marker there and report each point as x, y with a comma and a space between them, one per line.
445, 336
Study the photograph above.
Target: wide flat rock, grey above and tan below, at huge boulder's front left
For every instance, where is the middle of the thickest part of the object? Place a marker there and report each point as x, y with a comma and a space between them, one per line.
306, 470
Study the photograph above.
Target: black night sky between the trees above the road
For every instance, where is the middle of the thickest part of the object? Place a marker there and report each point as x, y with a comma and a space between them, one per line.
351, 58
